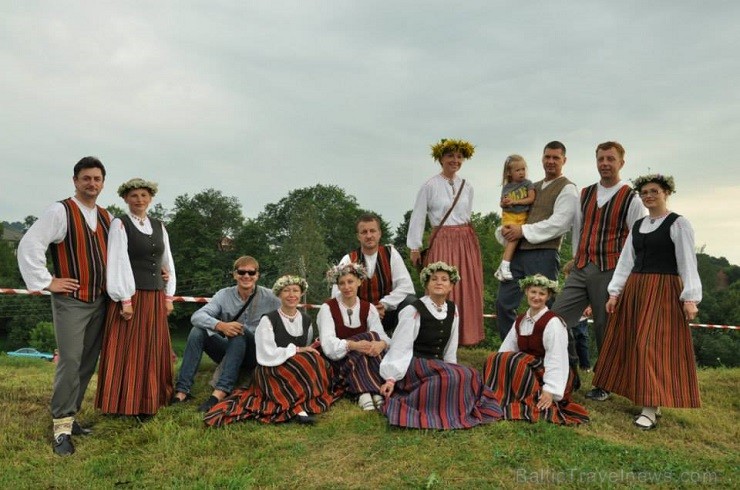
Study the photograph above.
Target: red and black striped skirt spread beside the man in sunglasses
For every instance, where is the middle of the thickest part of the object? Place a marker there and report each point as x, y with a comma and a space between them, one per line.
279, 393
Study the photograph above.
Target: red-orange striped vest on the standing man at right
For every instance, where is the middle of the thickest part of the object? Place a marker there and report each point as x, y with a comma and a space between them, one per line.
604, 229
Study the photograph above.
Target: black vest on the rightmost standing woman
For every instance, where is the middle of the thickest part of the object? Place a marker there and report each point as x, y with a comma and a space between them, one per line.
655, 252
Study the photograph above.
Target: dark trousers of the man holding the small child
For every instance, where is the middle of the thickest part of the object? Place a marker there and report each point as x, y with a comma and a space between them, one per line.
525, 263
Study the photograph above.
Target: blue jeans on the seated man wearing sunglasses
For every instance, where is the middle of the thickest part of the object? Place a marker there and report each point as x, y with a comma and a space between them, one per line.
231, 351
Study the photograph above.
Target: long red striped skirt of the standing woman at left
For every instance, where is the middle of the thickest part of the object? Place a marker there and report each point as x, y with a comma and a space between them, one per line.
135, 372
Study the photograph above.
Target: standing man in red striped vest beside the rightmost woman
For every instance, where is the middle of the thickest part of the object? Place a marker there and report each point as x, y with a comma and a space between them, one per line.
603, 219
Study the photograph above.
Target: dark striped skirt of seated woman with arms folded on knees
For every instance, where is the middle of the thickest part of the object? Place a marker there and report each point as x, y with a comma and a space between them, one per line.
357, 373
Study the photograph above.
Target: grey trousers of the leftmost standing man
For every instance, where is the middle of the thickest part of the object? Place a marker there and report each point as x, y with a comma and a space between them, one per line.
78, 327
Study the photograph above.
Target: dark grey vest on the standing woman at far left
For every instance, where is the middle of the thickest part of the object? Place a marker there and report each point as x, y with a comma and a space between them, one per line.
145, 253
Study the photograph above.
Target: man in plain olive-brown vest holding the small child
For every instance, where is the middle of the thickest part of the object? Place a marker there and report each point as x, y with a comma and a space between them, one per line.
550, 217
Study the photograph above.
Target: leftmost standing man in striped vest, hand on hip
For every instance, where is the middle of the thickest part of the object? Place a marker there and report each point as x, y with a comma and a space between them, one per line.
76, 231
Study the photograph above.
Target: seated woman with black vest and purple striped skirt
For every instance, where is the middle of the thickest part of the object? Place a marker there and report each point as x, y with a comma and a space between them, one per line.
425, 388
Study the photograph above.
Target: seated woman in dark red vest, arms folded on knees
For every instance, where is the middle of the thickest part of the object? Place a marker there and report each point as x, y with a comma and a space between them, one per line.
352, 336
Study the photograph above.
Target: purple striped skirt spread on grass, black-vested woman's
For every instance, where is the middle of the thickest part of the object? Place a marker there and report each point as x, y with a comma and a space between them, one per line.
439, 395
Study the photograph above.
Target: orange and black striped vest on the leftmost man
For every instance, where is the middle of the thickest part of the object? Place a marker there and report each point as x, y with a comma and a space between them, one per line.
82, 253
